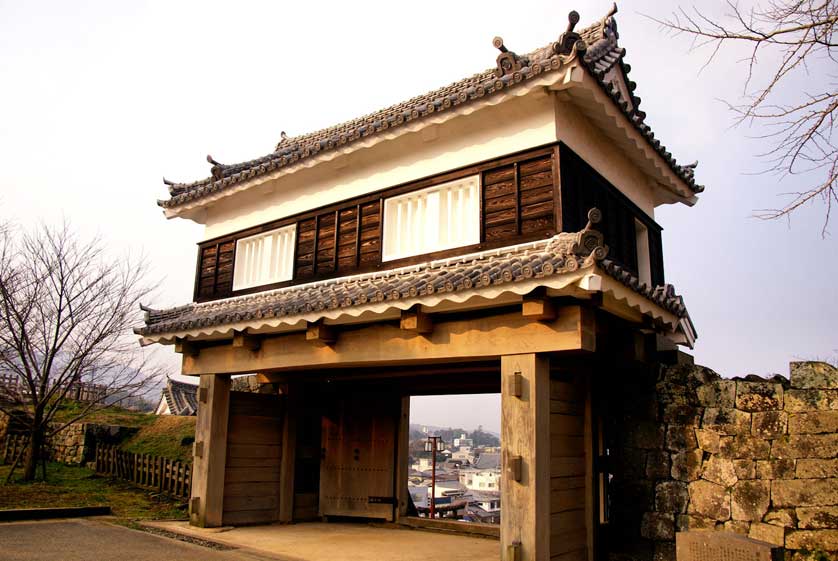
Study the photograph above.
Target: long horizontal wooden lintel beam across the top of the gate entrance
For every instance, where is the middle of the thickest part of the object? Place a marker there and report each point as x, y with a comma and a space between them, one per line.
384, 344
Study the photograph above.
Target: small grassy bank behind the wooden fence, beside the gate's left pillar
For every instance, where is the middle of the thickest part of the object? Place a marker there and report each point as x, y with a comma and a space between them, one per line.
168, 436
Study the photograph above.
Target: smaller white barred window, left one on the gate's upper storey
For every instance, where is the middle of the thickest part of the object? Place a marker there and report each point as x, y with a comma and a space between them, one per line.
264, 258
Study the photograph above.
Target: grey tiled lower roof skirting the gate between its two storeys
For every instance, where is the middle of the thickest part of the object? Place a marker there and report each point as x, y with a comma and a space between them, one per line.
562, 253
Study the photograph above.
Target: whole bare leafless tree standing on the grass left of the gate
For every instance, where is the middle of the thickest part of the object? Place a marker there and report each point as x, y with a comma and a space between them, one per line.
66, 313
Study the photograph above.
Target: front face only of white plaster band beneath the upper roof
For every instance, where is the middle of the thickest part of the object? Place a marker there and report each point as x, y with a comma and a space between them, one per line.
493, 131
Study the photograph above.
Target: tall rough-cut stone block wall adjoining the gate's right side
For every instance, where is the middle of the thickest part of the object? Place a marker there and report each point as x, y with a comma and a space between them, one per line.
694, 451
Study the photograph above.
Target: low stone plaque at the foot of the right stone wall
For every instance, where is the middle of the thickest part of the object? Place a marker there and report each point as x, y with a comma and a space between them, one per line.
723, 546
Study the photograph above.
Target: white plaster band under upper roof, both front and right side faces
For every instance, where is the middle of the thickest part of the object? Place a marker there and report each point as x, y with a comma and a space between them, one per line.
517, 124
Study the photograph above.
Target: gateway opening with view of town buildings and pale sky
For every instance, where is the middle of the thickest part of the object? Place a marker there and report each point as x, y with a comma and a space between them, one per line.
454, 458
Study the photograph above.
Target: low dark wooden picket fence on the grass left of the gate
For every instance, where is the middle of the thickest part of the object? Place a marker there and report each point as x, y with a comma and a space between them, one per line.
150, 472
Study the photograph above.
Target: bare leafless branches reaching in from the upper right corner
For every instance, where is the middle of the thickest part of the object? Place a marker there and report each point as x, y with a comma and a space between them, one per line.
795, 33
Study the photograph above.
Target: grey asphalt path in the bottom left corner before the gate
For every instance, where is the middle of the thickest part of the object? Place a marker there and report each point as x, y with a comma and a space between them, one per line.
92, 540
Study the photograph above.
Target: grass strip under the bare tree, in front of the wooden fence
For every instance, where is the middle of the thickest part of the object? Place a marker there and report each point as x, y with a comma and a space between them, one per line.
77, 486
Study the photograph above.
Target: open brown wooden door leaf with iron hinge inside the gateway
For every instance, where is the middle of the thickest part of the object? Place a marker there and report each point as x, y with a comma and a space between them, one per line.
357, 466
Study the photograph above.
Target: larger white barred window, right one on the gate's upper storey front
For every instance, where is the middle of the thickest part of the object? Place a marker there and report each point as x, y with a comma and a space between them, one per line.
433, 219
